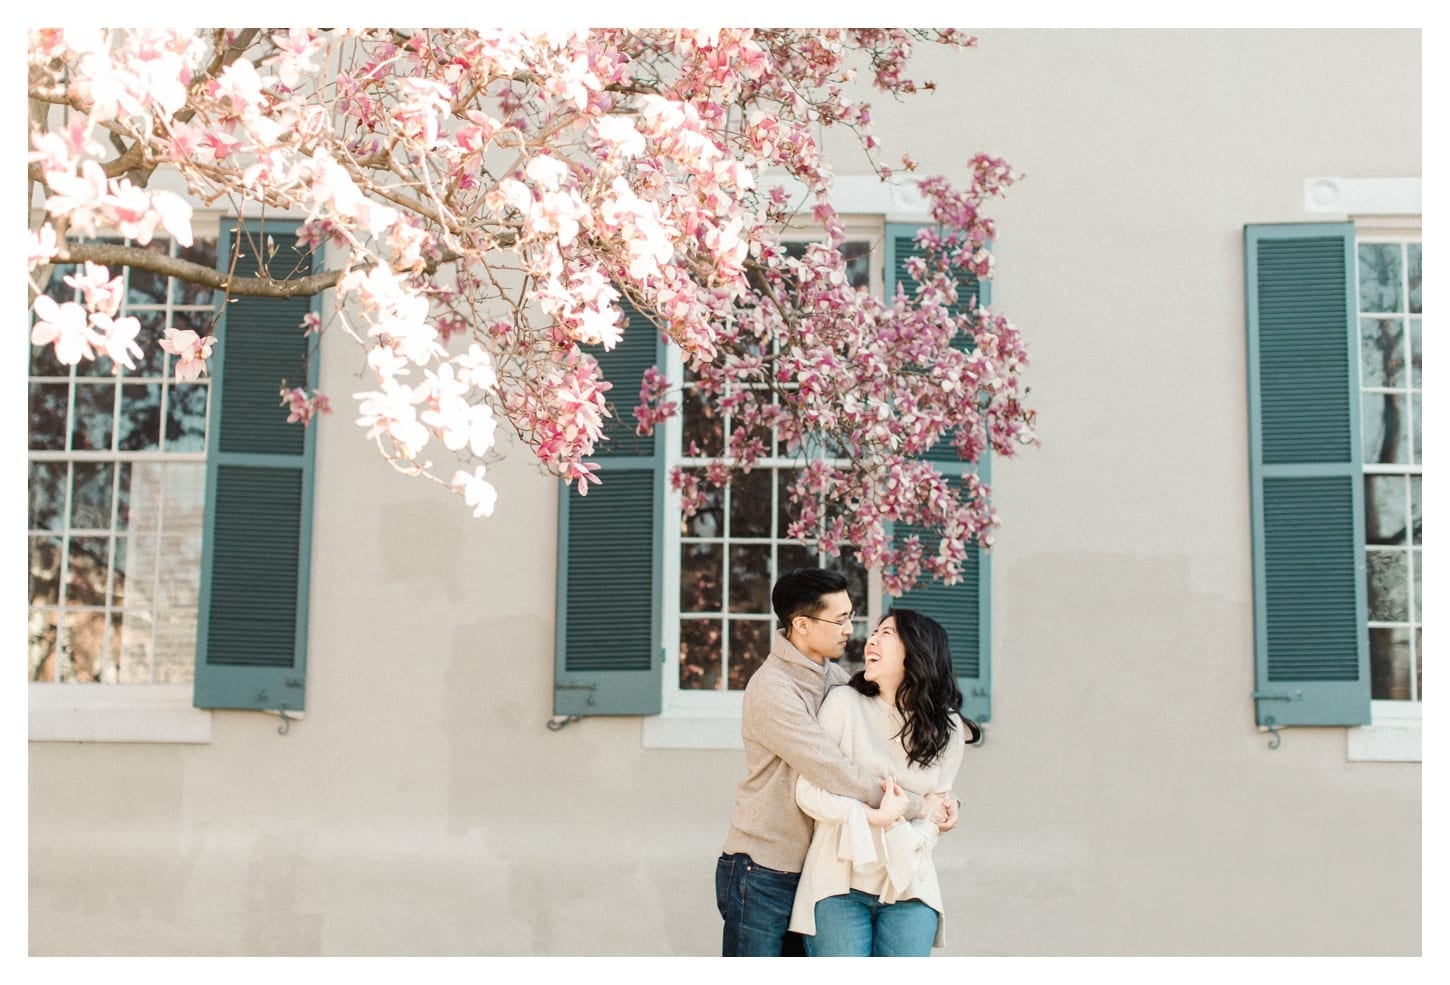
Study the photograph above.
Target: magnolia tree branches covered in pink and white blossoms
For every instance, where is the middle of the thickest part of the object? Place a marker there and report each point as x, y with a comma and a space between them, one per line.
489, 202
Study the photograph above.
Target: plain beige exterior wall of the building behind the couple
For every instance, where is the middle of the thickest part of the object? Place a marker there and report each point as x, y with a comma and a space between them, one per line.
1124, 803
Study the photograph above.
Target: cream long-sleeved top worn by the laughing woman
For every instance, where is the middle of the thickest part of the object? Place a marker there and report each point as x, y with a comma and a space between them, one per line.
848, 852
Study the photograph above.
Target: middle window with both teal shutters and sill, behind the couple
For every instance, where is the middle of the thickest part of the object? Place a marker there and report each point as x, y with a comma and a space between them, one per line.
668, 617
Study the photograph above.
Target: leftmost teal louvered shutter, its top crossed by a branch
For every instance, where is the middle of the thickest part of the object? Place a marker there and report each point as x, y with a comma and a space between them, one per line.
253, 623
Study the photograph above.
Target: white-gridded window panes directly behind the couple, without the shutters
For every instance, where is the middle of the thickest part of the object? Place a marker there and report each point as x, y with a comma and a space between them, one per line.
727, 558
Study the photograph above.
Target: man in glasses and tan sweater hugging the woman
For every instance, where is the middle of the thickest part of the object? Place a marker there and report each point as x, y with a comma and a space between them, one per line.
761, 865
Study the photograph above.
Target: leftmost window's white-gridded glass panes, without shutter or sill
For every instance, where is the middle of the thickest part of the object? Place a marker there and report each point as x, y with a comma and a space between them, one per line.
118, 479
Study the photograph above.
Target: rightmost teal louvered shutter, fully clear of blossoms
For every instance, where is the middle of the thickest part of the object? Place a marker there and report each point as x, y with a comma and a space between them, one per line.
1312, 649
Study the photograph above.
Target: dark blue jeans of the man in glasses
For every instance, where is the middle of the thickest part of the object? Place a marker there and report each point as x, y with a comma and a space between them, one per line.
756, 904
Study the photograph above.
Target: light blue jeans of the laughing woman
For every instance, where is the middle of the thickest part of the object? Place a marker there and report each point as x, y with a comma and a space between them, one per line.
862, 926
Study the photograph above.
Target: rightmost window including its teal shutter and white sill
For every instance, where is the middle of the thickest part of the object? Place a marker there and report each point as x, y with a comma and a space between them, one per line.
1335, 434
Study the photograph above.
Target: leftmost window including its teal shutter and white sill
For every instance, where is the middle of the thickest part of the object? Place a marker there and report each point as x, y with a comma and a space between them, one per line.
170, 522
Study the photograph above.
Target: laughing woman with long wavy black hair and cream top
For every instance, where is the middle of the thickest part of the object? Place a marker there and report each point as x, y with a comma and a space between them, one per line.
869, 886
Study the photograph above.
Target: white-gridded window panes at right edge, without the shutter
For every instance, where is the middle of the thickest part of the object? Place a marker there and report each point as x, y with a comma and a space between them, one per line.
1390, 321
